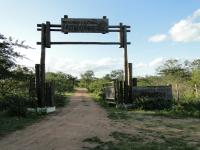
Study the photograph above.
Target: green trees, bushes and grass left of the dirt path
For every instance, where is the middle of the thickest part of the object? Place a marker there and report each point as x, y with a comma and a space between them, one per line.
14, 88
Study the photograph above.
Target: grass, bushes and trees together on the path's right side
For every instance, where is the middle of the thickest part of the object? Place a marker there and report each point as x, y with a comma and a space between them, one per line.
174, 128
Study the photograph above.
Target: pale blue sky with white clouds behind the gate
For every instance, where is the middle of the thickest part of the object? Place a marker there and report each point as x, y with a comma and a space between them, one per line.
160, 30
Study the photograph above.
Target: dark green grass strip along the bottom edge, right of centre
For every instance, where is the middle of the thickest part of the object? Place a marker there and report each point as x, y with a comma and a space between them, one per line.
124, 141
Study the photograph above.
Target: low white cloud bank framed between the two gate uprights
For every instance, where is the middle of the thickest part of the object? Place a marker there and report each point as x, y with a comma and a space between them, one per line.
100, 66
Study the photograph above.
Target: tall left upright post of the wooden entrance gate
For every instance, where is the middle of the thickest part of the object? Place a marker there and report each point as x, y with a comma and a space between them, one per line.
42, 68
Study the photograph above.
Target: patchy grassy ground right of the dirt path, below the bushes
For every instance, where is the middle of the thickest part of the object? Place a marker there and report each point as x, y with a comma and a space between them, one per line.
151, 130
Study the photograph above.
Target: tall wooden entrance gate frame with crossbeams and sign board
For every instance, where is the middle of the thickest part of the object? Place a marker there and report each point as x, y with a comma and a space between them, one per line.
80, 25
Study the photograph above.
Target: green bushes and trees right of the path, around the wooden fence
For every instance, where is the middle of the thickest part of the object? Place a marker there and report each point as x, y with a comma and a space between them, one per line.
182, 75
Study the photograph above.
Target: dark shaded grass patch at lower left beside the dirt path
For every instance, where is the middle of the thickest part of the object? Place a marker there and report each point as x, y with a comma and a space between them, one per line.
9, 124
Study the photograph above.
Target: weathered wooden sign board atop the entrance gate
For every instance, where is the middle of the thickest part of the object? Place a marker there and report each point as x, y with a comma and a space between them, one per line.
86, 25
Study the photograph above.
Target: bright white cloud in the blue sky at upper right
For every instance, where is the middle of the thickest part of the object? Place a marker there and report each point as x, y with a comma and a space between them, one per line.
185, 30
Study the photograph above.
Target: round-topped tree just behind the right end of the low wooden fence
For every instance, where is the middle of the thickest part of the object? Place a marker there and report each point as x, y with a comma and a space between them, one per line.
178, 74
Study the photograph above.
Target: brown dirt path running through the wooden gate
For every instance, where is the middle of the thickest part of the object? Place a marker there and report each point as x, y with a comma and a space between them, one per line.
63, 130
